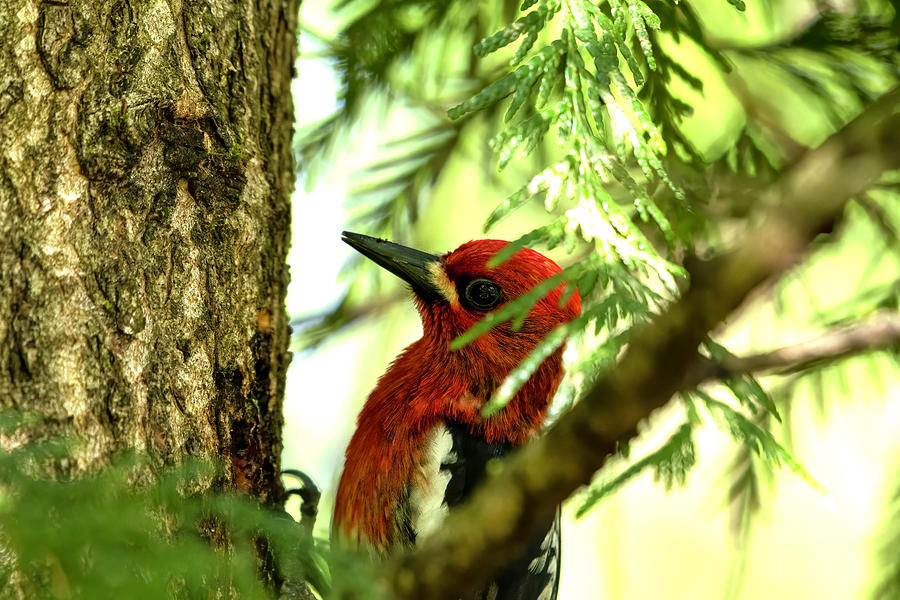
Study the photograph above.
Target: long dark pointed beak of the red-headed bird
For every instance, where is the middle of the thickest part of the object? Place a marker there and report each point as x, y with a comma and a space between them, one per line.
408, 264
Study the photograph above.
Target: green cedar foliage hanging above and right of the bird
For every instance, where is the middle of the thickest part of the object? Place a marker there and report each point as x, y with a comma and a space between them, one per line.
589, 101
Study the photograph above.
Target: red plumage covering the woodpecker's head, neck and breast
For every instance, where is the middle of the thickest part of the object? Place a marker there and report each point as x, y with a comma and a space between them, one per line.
428, 384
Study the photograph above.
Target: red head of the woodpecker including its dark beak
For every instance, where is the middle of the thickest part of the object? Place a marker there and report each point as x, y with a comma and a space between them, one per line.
456, 290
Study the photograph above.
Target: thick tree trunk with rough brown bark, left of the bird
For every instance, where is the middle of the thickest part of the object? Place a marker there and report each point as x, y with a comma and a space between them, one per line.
145, 176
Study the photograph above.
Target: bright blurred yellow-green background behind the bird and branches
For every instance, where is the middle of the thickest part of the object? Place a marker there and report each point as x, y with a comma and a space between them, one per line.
380, 156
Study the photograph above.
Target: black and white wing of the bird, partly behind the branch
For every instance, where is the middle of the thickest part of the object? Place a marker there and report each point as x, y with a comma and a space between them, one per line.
456, 463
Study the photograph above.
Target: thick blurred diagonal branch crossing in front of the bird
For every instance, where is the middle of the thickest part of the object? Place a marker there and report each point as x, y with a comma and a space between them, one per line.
809, 198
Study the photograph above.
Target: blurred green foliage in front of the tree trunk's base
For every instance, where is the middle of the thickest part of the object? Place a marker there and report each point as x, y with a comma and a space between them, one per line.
130, 532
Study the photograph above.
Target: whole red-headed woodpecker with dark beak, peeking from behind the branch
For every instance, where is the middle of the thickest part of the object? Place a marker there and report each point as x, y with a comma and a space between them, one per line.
421, 445
